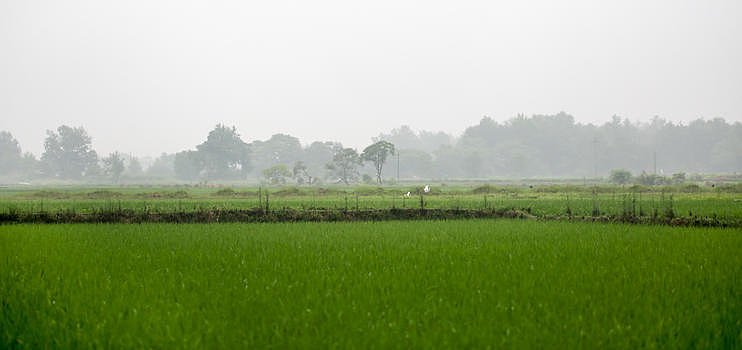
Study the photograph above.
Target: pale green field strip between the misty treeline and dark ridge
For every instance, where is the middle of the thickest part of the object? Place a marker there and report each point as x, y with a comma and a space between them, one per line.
687, 201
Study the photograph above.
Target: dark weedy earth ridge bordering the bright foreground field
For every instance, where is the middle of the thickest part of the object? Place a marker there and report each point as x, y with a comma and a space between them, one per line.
216, 215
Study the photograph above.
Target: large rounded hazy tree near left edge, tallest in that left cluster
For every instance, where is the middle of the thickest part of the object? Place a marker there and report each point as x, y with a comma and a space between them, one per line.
68, 153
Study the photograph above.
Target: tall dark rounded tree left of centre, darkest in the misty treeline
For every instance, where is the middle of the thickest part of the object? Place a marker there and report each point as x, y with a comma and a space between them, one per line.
224, 154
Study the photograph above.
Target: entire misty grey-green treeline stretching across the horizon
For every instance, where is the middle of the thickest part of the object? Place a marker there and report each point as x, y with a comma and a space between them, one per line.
537, 146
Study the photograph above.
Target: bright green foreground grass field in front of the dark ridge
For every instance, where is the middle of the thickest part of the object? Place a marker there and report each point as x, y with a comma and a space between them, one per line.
452, 284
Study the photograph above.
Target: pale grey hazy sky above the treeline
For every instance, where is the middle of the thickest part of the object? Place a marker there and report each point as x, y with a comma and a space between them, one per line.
146, 76
